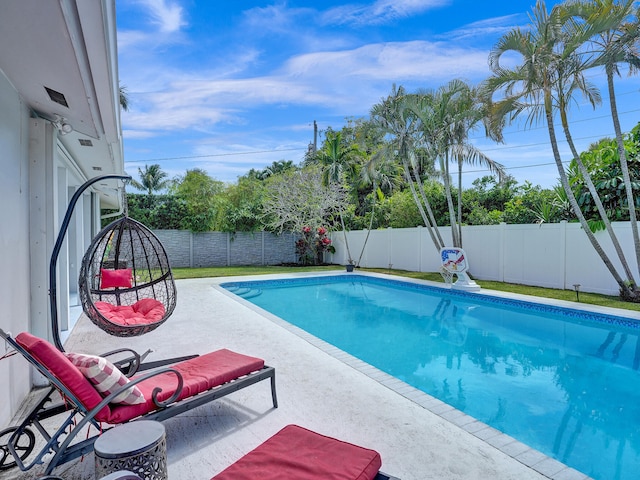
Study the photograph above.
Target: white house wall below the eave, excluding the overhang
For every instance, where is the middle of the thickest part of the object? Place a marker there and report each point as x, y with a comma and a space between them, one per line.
37, 181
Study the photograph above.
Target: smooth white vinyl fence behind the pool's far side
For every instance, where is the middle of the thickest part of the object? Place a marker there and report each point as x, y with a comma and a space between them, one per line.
548, 255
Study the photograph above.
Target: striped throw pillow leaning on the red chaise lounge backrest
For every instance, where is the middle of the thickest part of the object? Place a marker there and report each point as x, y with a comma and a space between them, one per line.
106, 378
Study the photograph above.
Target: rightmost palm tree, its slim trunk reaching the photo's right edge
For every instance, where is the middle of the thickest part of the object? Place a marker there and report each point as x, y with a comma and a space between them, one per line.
615, 41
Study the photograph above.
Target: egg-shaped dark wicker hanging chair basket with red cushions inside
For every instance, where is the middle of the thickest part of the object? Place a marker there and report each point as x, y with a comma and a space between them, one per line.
126, 285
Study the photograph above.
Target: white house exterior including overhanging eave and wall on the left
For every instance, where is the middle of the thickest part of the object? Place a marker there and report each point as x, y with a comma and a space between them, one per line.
42, 169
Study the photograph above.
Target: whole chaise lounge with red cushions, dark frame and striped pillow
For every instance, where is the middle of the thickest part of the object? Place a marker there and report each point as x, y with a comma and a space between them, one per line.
158, 395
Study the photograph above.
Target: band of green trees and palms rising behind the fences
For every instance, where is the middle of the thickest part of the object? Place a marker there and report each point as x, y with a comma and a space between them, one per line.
402, 165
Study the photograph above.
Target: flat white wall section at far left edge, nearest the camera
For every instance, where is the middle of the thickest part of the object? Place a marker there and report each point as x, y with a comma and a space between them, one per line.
14, 242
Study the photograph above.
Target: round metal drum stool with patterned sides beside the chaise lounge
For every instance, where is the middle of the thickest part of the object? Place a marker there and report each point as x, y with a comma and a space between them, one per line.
139, 447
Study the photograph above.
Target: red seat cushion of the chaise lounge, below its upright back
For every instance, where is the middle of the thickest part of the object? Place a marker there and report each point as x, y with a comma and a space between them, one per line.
199, 375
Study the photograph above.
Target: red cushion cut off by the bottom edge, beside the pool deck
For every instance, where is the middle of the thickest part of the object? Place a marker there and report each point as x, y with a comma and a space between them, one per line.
297, 453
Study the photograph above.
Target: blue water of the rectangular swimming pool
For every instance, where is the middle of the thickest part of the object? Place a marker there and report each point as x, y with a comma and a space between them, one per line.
563, 381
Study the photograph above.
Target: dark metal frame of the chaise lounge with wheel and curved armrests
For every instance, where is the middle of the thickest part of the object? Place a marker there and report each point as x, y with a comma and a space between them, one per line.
60, 444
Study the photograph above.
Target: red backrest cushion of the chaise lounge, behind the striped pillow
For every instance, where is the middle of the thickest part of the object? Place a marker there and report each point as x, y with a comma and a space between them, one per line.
60, 366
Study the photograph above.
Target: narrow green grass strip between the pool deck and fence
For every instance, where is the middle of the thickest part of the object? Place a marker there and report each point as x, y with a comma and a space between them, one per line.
568, 295
